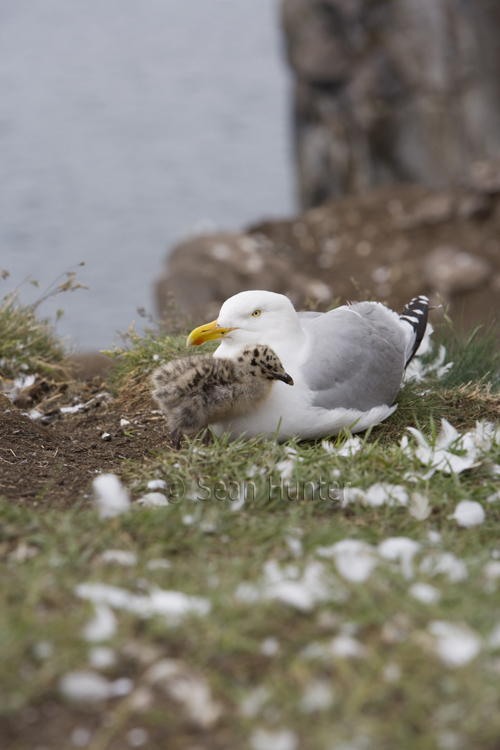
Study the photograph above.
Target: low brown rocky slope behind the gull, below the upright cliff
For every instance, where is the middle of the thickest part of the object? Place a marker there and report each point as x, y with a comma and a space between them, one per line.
389, 244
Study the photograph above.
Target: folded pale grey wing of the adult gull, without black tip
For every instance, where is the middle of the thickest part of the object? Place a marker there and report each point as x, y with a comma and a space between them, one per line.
356, 357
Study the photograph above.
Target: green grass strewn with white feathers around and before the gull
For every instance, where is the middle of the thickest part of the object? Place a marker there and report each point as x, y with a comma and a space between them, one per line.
396, 693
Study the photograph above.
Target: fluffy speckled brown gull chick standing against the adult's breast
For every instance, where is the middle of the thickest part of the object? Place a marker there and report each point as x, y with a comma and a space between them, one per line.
195, 391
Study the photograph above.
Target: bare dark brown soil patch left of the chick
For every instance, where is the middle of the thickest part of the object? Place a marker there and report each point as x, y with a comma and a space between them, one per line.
52, 460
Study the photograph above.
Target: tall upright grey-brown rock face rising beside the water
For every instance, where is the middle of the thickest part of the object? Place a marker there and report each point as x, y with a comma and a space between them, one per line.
392, 90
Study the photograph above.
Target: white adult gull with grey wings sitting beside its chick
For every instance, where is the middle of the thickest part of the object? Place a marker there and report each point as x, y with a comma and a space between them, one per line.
347, 364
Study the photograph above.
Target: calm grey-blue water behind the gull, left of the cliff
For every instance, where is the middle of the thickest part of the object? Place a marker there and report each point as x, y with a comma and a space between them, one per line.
123, 125
